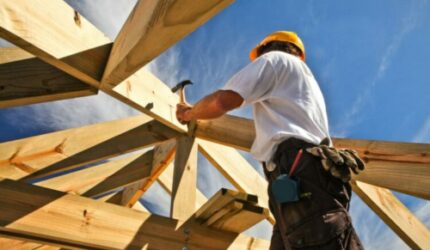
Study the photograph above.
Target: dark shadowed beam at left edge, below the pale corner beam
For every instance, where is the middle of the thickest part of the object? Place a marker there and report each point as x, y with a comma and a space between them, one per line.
27, 81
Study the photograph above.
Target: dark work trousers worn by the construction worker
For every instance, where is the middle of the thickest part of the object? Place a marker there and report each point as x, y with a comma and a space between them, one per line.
319, 220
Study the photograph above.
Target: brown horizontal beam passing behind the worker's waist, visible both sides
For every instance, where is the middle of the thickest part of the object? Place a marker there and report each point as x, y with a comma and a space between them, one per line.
404, 167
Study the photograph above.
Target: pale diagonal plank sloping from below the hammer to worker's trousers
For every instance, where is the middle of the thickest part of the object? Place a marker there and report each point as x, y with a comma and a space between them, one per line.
237, 170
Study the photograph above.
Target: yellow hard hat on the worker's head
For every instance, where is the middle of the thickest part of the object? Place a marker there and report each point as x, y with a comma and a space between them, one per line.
281, 36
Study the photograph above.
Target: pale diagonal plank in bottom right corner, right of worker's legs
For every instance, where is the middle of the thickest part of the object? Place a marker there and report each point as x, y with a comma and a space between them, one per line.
394, 214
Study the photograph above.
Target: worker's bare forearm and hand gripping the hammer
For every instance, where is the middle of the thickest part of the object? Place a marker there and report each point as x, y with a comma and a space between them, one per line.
210, 107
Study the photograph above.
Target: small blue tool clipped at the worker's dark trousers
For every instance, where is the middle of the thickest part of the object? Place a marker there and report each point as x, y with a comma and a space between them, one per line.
285, 189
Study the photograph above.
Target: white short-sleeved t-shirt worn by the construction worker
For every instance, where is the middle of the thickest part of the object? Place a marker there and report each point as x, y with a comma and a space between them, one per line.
286, 100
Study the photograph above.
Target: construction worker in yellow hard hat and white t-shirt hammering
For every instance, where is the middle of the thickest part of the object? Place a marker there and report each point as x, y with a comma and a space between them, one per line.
309, 190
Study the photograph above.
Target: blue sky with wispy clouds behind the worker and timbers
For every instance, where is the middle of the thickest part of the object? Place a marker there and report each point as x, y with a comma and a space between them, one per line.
371, 59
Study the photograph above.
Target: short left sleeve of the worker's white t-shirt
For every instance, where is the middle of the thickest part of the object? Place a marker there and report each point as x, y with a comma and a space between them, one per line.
254, 82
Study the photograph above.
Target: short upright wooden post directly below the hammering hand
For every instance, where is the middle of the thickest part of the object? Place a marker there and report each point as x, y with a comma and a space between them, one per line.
184, 179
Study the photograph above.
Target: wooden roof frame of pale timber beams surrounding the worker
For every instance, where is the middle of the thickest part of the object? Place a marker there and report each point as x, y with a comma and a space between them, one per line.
74, 53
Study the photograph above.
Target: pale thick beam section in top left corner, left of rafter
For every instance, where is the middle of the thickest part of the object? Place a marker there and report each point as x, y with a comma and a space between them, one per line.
29, 25
